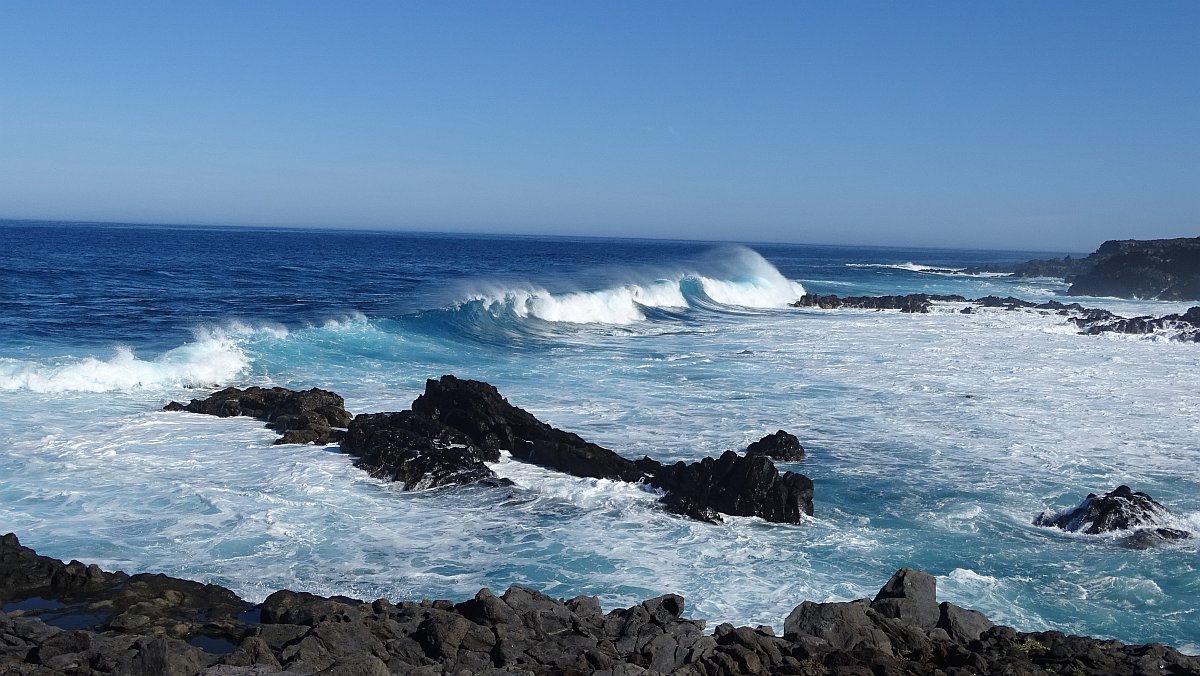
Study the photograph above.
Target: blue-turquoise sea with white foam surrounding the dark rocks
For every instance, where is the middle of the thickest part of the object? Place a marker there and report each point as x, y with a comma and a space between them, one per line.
933, 440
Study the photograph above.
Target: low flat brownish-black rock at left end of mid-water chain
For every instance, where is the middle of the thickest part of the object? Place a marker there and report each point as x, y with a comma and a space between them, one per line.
314, 416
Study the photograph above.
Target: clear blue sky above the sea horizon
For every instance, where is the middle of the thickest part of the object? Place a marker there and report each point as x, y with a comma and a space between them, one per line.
1007, 125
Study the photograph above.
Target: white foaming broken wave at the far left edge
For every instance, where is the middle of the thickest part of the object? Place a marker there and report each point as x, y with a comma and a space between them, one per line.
209, 361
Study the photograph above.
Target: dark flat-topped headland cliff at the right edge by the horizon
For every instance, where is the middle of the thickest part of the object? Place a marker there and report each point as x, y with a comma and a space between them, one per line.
1166, 270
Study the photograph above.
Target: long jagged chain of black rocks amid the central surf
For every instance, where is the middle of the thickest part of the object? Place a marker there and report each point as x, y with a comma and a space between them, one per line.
458, 426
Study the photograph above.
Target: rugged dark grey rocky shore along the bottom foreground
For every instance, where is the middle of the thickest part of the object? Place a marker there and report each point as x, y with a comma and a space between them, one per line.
59, 619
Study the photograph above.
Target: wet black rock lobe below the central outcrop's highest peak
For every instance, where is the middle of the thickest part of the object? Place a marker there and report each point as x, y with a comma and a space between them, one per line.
417, 451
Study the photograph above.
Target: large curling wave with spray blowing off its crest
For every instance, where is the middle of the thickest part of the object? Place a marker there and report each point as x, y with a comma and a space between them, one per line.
730, 278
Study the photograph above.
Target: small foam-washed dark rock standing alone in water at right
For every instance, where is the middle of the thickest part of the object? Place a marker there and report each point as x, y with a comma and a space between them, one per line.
1121, 510
